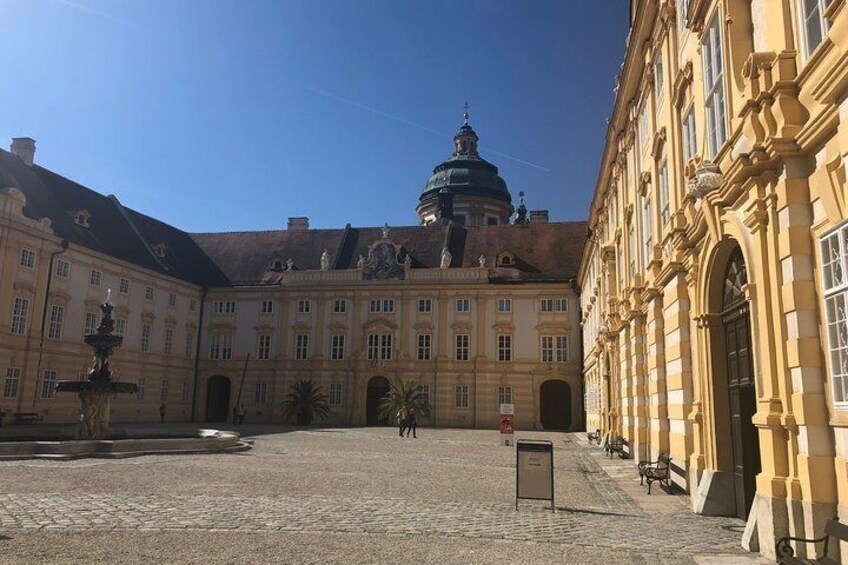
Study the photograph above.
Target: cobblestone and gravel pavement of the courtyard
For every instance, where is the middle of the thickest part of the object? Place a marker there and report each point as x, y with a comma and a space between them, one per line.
361, 488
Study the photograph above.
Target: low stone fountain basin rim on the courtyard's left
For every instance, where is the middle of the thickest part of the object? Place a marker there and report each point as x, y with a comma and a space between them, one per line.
49, 443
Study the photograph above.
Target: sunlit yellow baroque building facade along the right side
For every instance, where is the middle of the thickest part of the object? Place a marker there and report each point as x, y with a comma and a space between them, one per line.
715, 280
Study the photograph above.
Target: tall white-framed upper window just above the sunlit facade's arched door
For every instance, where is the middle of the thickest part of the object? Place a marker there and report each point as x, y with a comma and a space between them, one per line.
711, 49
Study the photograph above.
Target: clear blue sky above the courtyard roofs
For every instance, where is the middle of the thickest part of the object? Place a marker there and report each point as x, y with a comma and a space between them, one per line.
227, 116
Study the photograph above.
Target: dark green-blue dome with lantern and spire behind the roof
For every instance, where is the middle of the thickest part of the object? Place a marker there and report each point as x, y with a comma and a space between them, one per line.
466, 189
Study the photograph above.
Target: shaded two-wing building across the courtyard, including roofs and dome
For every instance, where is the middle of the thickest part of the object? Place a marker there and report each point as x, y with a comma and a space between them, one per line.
477, 307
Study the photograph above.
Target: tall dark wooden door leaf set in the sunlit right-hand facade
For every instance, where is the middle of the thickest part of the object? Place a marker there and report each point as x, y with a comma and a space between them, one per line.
742, 396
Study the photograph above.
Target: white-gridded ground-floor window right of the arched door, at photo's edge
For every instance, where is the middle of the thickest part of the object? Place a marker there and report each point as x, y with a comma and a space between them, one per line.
834, 258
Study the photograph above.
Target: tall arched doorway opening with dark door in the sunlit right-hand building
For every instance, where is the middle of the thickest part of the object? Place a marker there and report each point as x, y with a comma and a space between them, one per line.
734, 385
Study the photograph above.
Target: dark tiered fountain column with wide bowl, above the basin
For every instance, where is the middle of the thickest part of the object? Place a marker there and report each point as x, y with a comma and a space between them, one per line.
98, 389
